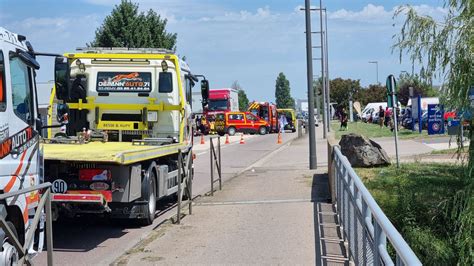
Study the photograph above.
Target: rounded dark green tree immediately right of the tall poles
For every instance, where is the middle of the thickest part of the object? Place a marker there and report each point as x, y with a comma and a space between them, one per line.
341, 90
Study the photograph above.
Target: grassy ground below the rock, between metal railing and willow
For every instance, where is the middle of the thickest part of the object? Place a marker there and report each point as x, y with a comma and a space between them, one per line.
414, 197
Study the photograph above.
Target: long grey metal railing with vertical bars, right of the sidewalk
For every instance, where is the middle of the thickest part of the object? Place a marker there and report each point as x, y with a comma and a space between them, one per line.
365, 226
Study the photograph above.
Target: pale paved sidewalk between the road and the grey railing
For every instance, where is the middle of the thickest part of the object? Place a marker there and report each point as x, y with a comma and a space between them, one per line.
274, 213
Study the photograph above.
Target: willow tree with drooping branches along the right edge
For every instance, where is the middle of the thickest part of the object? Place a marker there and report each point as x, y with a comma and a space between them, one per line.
445, 49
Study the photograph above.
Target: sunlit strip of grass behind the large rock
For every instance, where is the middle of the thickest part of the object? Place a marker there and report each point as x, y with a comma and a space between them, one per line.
370, 130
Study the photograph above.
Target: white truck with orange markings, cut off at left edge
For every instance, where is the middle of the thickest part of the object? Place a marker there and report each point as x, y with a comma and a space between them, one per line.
20, 153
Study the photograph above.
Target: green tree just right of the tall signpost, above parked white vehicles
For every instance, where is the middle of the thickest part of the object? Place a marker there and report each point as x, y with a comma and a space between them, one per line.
420, 87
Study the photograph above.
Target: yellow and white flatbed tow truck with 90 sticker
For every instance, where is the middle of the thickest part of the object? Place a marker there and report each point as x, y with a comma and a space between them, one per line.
128, 117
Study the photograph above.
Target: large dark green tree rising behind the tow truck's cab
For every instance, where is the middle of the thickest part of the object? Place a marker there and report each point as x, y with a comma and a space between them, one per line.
126, 27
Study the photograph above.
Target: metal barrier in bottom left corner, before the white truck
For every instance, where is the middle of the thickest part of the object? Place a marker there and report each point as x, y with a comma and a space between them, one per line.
45, 202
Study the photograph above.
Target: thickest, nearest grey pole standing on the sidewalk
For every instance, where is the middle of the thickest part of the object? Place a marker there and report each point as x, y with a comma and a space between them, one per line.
309, 65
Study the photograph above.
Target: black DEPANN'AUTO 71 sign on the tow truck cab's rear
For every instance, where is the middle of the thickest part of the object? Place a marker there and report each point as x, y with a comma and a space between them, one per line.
123, 82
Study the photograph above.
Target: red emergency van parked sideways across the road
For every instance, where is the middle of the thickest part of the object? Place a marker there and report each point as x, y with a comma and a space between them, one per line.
245, 122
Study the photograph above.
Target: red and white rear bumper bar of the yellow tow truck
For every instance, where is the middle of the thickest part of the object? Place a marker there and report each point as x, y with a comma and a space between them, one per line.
83, 196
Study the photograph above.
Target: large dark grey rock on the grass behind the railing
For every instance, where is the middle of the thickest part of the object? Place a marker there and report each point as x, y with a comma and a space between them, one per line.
363, 152
